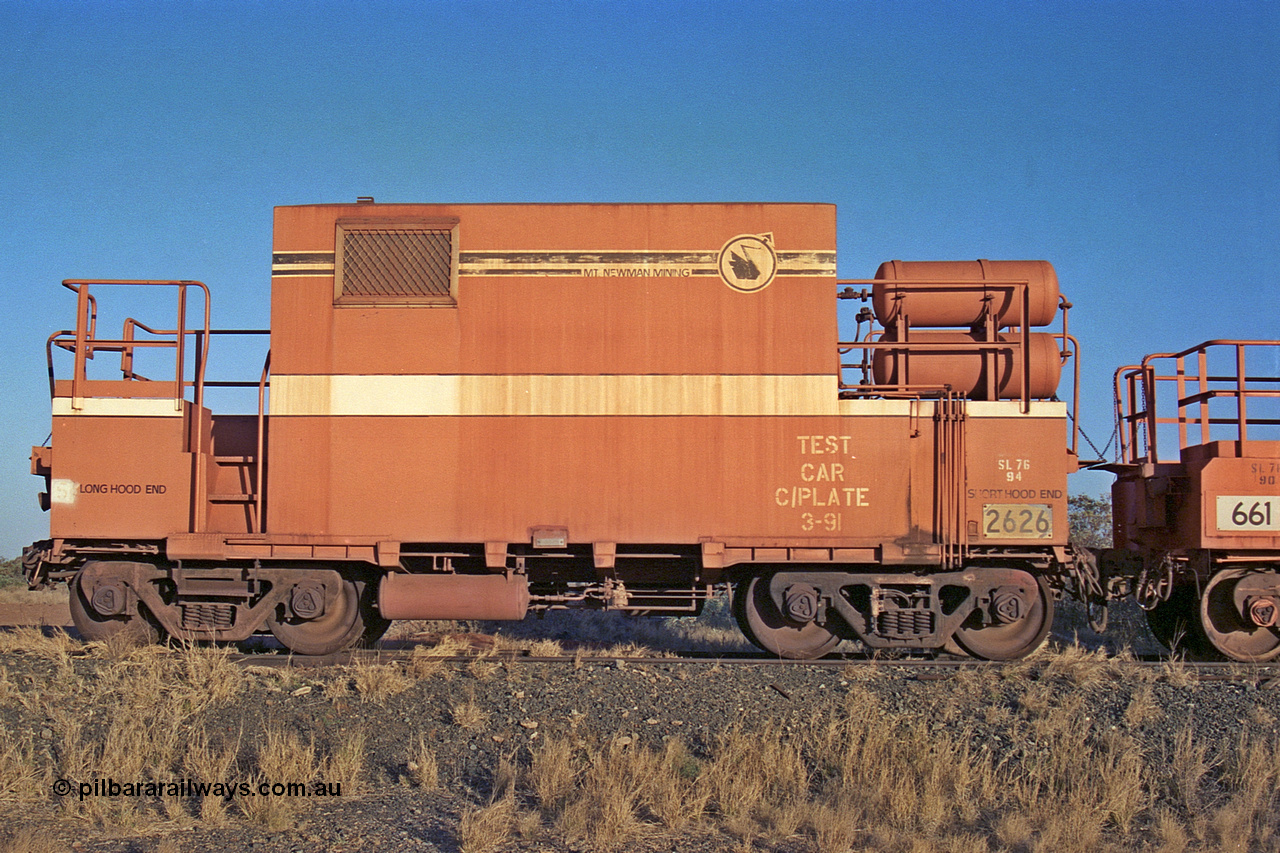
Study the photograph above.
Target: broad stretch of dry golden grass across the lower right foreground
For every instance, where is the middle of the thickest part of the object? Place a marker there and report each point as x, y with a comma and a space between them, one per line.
863, 779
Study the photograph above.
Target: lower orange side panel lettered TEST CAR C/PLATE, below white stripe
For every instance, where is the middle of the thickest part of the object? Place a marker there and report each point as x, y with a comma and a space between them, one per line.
817, 480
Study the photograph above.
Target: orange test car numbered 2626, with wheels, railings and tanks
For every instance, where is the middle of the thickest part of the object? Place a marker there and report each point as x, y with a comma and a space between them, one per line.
472, 412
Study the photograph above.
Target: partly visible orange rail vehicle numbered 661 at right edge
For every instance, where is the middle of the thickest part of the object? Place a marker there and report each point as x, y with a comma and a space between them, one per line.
1196, 501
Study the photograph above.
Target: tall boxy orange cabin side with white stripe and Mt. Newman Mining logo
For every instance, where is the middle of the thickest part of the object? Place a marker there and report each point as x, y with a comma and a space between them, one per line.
579, 331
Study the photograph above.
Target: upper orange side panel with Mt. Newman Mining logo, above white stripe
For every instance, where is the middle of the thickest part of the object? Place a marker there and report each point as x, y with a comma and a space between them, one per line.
572, 290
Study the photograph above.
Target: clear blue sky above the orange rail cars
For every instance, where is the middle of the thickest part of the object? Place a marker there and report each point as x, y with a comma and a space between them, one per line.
1135, 145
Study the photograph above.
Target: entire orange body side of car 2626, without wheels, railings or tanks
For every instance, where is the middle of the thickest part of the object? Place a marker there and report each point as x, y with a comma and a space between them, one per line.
612, 373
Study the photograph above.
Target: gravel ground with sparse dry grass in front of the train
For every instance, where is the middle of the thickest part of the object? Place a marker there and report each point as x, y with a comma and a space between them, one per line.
486, 720
